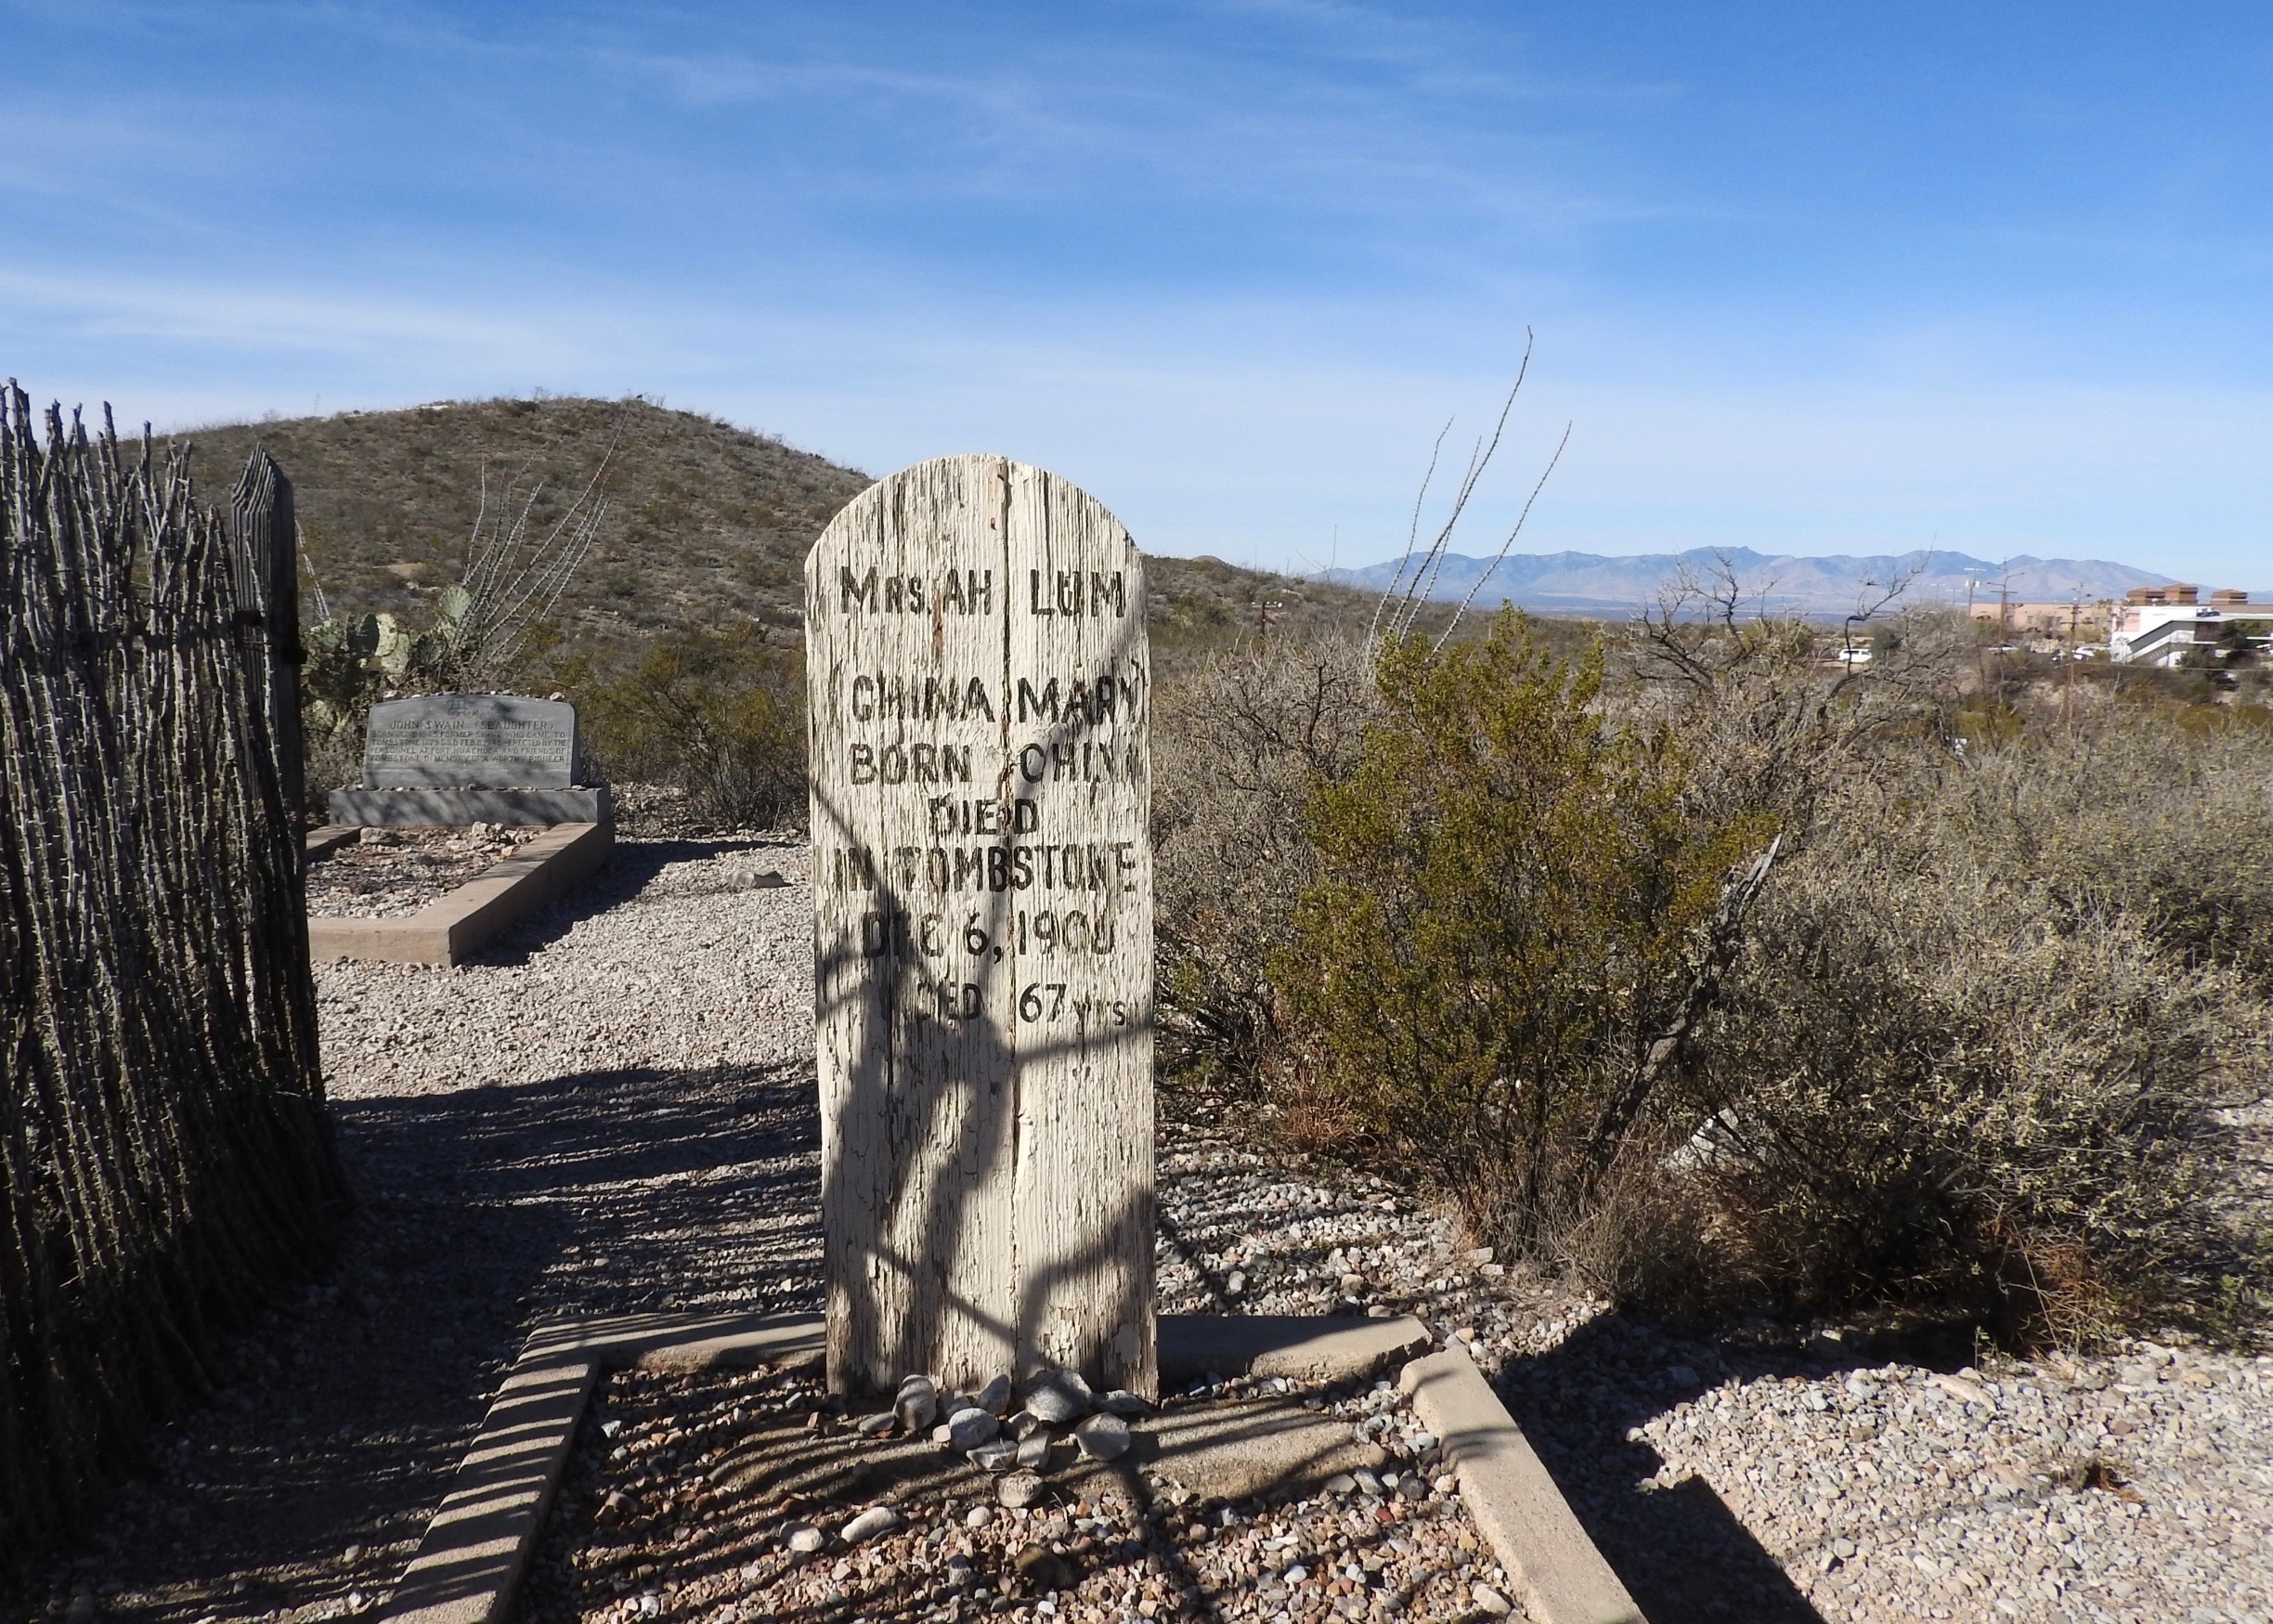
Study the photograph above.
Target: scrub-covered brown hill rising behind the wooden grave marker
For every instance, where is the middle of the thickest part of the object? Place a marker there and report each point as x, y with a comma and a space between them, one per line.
708, 522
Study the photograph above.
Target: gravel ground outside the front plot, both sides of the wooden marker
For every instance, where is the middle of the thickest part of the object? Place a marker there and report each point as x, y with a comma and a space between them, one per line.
613, 1111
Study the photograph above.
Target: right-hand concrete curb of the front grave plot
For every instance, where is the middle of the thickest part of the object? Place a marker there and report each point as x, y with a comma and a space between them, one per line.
1513, 1498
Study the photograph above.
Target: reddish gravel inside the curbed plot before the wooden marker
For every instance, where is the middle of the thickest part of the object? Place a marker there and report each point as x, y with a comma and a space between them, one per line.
653, 1523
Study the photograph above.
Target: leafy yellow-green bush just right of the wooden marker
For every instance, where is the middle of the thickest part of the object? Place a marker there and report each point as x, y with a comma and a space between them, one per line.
1517, 920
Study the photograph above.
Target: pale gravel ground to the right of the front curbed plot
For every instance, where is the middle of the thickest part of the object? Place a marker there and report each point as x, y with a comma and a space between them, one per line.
1767, 1477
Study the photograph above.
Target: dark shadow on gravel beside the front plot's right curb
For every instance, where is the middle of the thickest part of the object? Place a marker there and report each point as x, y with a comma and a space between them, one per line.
1681, 1550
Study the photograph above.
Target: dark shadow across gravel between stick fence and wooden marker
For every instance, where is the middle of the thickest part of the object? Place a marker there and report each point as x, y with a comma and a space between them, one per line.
481, 1216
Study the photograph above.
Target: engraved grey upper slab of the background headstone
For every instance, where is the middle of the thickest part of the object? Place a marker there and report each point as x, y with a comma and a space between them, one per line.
469, 743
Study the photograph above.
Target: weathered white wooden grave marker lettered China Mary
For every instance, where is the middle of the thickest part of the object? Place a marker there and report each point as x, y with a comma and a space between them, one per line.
983, 929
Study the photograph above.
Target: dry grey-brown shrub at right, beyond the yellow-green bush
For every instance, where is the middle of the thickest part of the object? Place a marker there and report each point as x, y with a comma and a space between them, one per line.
1965, 1063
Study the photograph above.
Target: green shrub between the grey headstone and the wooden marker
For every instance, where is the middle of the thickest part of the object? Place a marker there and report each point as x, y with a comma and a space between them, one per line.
719, 715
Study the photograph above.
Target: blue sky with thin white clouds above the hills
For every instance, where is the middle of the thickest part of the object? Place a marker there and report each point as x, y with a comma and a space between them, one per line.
1804, 279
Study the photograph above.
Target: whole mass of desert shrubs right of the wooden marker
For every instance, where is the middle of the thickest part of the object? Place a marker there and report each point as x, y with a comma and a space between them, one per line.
1735, 977
